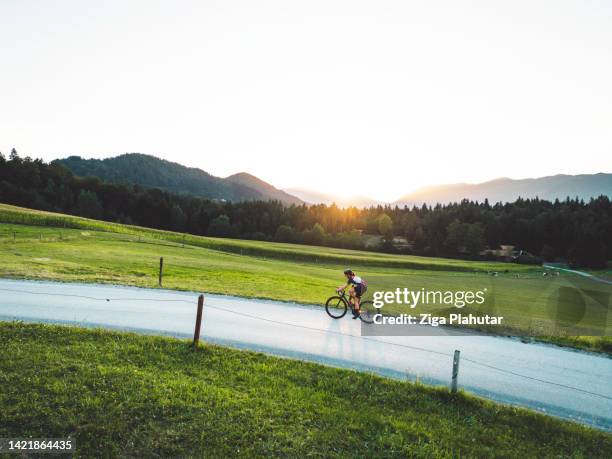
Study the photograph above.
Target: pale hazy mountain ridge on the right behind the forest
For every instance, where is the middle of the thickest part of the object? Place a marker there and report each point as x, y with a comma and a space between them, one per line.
508, 190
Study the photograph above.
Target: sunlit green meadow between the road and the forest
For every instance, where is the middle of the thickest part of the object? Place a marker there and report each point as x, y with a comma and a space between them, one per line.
42, 245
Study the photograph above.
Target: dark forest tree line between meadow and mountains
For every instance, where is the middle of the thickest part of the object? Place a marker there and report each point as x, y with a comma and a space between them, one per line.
571, 229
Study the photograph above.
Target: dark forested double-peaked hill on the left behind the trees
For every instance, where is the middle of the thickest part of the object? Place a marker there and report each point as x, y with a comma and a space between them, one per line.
150, 171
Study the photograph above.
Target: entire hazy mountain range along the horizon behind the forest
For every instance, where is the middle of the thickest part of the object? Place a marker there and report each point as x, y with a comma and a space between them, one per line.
151, 171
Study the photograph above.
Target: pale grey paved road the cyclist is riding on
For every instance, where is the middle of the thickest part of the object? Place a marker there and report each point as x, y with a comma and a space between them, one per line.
534, 375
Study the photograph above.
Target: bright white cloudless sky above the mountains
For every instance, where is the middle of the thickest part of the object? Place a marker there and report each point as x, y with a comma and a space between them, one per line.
349, 97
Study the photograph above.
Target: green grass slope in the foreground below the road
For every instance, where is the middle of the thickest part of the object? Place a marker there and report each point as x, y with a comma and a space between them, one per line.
120, 394
